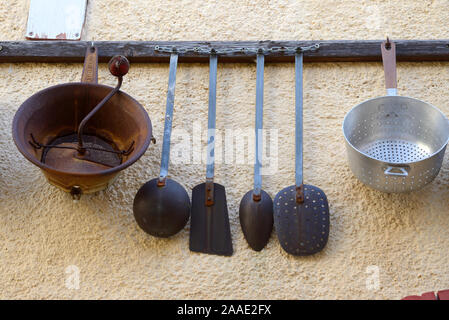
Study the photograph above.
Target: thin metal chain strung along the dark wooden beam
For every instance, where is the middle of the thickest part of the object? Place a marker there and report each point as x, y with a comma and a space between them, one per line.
207, 51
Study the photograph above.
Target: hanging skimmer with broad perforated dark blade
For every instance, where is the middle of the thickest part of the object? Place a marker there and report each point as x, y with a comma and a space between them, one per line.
301, 212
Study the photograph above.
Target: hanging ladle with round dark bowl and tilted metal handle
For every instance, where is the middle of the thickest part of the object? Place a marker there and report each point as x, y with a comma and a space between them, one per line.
162, 206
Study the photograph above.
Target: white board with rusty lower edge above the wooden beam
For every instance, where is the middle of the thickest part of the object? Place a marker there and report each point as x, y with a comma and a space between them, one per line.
56, 19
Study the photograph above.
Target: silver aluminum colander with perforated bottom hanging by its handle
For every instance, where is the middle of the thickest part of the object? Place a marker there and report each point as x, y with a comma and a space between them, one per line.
395, 144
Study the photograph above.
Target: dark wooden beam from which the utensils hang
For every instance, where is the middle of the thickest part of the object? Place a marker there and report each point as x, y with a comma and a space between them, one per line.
144, 51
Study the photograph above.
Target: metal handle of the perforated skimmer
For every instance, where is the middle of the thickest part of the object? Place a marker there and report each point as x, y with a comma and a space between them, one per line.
299, 127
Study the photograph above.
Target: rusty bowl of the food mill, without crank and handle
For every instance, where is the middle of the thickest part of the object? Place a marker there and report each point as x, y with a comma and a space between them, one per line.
122, 120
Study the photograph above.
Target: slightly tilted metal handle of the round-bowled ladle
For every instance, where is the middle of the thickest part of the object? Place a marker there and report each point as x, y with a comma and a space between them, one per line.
165, 159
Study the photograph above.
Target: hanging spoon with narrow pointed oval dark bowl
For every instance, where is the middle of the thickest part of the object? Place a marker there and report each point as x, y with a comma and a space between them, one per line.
256, 207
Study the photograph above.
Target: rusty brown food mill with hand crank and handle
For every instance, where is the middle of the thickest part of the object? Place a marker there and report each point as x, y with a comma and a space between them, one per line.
115, 132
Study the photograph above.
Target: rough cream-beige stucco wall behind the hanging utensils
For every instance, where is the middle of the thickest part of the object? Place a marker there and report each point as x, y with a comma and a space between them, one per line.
42, 231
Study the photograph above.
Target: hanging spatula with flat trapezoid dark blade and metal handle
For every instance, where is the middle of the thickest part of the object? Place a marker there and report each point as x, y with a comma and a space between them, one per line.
209, 223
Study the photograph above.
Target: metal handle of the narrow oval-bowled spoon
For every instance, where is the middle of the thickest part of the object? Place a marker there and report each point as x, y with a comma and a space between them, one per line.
258, 127
